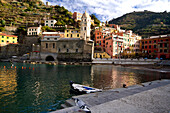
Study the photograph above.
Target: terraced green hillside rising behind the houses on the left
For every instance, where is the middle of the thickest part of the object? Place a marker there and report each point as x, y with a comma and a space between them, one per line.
24, 13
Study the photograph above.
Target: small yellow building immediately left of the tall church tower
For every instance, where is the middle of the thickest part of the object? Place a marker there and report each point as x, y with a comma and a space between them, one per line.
72, 33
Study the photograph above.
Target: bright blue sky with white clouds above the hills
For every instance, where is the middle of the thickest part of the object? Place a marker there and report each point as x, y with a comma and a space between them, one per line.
106, 10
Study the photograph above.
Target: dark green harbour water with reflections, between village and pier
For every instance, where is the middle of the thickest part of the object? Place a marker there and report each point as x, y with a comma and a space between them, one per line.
42, 88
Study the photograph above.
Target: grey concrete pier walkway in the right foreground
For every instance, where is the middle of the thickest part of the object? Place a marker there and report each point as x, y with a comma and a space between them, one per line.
150, 97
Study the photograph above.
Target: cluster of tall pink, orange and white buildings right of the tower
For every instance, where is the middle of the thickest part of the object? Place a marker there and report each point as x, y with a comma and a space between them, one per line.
115, 41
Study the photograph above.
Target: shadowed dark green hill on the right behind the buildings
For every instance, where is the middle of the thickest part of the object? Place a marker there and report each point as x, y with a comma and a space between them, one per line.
145, 23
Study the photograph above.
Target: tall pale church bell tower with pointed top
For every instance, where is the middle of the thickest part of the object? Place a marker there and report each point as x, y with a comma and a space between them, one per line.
85, 26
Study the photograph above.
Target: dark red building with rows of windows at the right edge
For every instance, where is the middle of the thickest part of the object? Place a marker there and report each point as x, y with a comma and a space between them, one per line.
156, 46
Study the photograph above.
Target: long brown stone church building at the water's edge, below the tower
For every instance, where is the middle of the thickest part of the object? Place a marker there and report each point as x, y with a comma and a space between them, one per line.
68, 49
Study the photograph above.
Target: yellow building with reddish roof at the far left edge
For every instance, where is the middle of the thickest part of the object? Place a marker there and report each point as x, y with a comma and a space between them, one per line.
7, 39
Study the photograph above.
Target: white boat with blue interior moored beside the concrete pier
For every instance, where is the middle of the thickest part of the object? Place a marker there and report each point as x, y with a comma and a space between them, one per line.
81, 89
